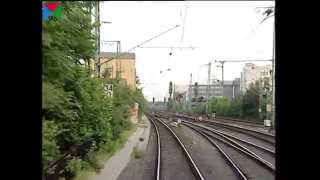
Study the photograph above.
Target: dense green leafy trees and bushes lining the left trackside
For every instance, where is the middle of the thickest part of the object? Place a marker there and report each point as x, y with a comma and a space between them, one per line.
78, 118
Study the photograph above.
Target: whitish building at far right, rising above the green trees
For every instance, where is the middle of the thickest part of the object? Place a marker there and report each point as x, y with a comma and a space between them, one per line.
252, 73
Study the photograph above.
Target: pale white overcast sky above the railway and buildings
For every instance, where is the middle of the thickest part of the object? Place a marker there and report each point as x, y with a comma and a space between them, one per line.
219, 30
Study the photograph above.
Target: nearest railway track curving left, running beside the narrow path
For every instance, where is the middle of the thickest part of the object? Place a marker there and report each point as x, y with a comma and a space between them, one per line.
173, 159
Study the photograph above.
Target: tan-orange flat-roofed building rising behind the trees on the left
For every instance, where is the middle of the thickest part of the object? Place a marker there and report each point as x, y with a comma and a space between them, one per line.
119, 64
